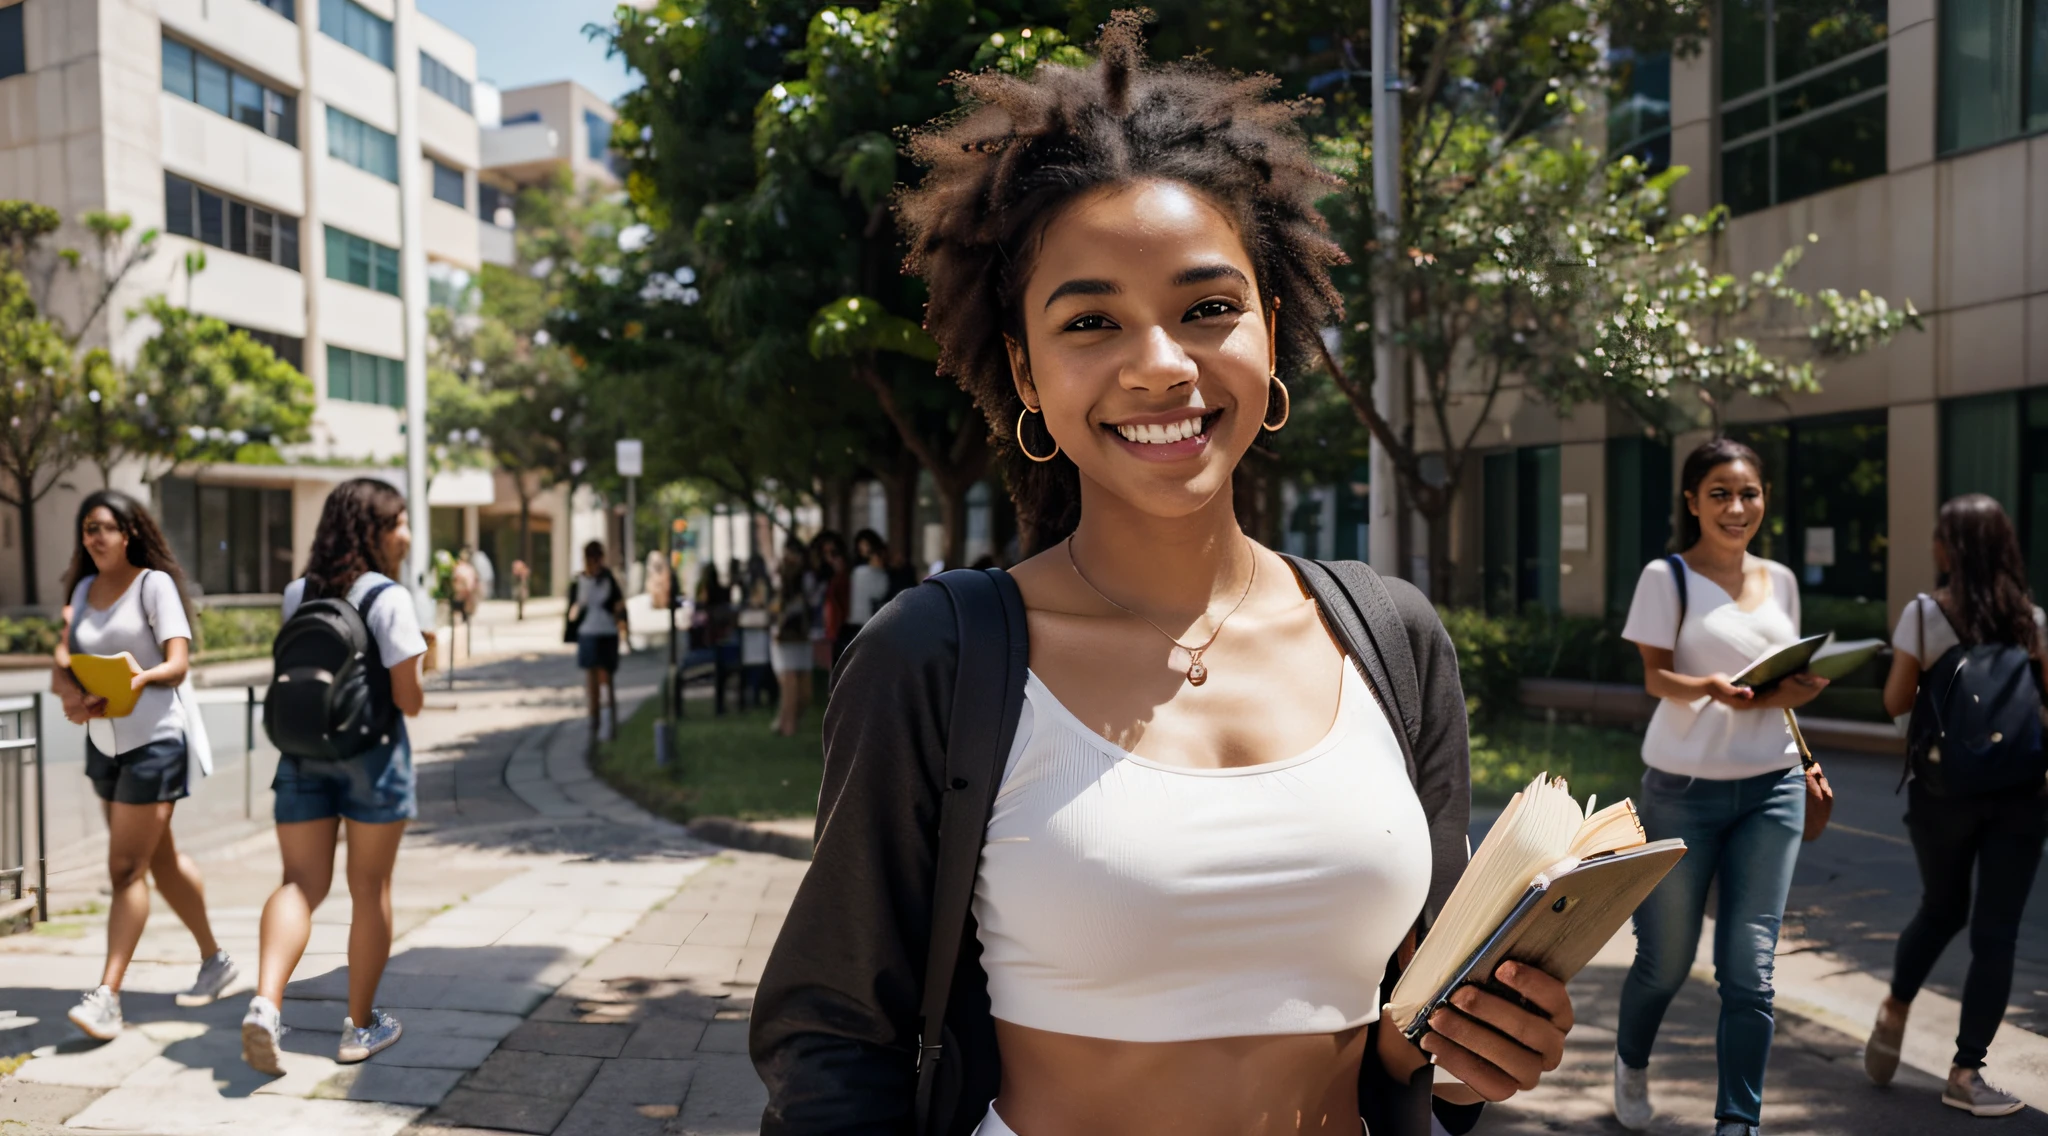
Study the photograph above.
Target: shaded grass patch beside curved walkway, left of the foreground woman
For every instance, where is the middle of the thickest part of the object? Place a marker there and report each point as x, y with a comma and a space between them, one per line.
726, 767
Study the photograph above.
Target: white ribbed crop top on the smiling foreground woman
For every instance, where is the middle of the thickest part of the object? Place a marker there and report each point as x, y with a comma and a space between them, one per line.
1138, 902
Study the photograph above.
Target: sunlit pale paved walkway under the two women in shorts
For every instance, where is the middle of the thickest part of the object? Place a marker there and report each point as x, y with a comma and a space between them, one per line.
519, 873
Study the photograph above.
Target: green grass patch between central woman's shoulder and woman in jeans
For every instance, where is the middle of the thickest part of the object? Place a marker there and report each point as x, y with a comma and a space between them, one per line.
1510, 752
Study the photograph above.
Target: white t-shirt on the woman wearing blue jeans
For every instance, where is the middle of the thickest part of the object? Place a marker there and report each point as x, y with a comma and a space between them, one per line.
1709, 740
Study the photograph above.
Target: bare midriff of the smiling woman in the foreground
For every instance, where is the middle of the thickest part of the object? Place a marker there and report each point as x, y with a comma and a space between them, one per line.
1271, 1086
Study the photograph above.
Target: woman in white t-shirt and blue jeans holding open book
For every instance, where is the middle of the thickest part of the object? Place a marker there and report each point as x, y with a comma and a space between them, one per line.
1723, 775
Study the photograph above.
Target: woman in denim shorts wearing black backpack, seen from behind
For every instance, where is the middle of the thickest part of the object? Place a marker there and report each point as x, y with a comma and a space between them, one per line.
347, 679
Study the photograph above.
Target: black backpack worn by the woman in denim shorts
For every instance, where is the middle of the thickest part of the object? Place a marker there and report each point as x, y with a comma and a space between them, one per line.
331, 693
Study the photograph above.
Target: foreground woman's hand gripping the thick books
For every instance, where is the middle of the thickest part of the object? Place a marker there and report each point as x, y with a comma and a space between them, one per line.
1500, 1049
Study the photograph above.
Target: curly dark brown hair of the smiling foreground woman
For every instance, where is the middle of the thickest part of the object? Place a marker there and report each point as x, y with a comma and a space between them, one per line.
1023, 148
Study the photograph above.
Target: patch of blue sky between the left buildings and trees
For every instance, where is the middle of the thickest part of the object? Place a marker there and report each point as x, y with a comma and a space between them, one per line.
525, 42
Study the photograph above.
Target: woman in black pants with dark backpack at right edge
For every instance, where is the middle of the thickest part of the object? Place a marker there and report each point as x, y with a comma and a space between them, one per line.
1996, 836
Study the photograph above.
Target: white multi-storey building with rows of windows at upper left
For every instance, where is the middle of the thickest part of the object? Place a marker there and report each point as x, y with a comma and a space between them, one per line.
273, 136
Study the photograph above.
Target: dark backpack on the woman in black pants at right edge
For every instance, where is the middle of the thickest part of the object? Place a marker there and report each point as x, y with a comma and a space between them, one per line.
1977, 722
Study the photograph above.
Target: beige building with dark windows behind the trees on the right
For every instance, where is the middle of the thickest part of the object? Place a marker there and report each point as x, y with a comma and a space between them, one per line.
1912, 144
